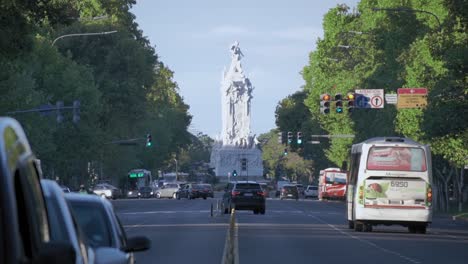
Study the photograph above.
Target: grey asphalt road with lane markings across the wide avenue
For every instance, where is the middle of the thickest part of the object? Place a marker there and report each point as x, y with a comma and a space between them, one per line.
304, 231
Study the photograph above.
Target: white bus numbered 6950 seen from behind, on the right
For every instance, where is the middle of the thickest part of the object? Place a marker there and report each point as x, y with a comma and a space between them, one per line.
389, 183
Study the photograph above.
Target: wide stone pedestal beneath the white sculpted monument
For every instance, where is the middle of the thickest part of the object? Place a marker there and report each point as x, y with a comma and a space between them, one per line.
227, 159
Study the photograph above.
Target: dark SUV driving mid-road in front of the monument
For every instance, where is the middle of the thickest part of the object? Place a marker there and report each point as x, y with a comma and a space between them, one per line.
244, 195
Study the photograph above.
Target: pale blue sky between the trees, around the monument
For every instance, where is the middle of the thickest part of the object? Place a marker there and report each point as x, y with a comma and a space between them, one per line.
192, 37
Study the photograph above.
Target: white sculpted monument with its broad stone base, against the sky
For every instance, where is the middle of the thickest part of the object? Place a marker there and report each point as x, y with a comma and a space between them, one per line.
236, 142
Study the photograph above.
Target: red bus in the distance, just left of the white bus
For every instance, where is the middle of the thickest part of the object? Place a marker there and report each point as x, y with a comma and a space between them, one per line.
332, 184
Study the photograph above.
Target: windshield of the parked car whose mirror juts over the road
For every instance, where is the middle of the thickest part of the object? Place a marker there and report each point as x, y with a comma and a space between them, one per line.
94, 222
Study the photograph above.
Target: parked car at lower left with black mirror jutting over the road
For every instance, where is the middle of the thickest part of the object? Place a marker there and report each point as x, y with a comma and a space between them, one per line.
98, 221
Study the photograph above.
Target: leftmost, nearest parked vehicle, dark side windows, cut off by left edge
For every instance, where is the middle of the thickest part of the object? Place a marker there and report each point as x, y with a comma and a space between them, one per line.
25, 228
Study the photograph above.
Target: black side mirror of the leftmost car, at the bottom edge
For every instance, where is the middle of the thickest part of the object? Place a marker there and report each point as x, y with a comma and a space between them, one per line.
56, 252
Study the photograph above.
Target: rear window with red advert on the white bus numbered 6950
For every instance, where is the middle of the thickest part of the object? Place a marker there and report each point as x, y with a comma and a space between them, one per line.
396, 159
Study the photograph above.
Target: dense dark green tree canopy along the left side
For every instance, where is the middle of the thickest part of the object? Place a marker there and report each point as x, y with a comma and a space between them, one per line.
124, 89
